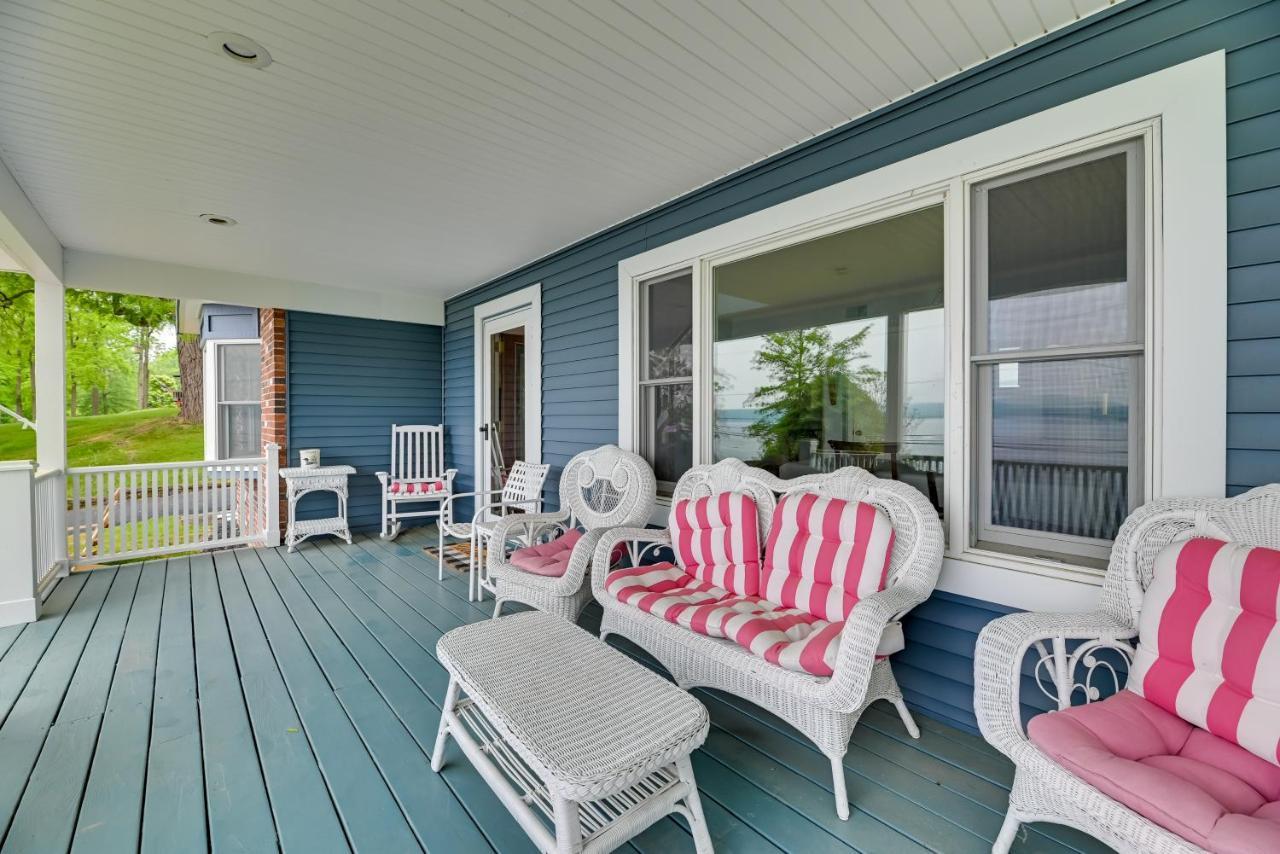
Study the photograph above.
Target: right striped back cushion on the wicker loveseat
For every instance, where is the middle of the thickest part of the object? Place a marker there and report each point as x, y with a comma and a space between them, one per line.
826, 554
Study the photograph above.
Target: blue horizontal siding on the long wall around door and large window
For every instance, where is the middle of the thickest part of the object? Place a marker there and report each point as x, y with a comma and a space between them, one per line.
580, 282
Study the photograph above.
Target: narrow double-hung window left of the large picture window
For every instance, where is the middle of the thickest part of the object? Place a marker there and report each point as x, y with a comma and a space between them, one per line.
668, 377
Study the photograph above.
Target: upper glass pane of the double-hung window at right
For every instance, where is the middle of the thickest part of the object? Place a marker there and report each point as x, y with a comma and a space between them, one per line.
1058, 259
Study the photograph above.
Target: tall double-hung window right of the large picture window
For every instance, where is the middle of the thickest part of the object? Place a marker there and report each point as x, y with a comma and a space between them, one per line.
1058, 355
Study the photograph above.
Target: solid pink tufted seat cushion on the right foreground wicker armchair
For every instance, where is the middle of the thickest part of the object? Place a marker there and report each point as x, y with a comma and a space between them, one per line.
1182, 778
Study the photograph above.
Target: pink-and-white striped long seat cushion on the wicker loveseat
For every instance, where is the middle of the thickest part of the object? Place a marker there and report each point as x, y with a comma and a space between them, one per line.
787, 637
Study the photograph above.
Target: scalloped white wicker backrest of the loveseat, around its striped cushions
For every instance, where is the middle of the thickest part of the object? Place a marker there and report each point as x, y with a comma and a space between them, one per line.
916, 523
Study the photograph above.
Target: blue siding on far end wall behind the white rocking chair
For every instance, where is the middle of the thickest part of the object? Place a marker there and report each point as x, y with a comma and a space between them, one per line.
349, 381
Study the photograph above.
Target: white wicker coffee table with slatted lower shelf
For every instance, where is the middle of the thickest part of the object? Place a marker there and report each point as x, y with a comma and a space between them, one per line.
586, 747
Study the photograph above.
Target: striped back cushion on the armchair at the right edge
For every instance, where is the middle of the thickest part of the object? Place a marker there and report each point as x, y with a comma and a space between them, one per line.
1209, 649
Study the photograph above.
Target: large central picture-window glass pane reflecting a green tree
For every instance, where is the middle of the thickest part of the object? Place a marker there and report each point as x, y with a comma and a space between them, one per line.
830, 354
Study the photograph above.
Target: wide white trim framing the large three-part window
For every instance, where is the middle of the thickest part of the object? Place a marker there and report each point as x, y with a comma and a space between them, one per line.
1182, 111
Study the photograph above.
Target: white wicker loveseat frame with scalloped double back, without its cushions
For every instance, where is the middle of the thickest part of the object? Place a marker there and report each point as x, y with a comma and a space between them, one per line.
824, 710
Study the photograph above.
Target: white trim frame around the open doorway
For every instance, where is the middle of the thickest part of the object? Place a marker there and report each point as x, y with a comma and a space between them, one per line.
531, 303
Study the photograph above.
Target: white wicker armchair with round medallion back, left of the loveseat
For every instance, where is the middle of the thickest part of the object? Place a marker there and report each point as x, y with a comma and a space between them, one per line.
600, 490
